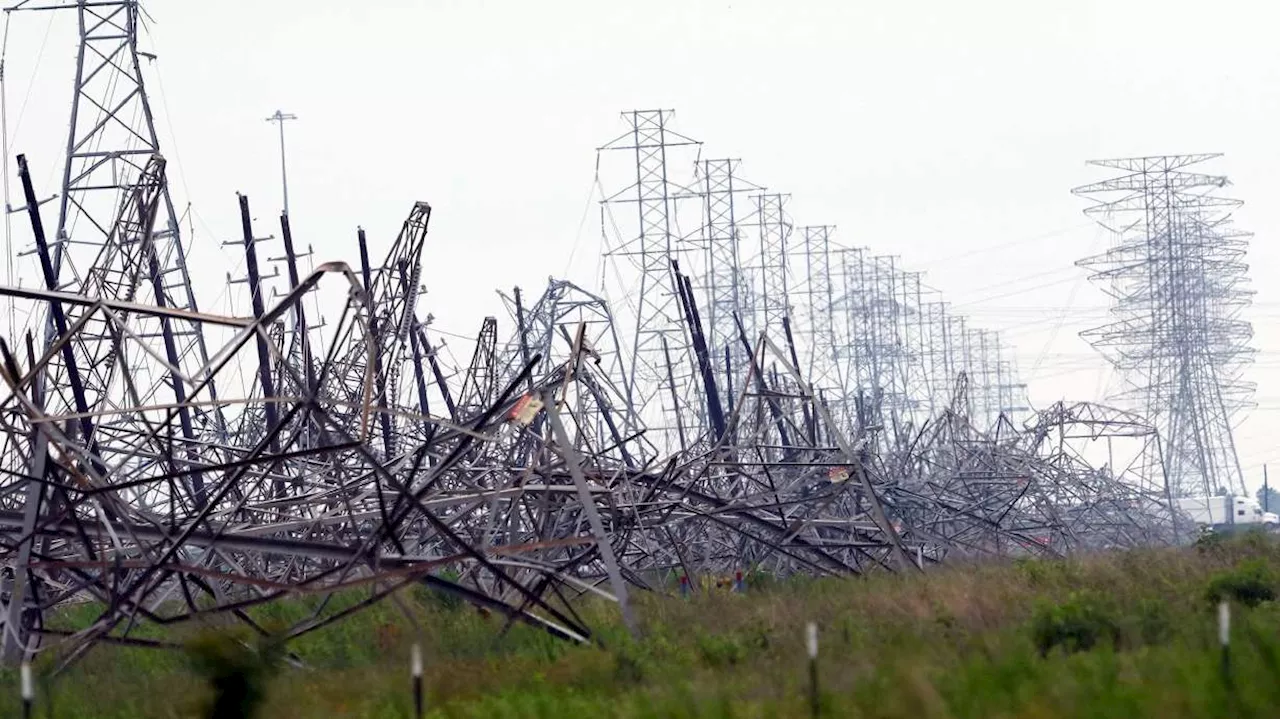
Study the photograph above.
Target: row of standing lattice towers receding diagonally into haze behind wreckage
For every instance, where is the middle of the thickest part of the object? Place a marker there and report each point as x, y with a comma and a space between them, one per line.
879, 349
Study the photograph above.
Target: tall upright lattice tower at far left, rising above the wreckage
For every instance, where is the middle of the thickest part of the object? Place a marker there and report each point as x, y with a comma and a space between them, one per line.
111, 143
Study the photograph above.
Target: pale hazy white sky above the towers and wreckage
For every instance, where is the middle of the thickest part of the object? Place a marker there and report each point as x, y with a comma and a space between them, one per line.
948, 134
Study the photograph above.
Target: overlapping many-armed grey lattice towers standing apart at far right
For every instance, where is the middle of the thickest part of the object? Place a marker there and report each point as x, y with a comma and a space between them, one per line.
1177, 276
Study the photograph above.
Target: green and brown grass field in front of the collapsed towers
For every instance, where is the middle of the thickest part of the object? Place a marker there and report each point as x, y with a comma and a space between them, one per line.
1123, 635
